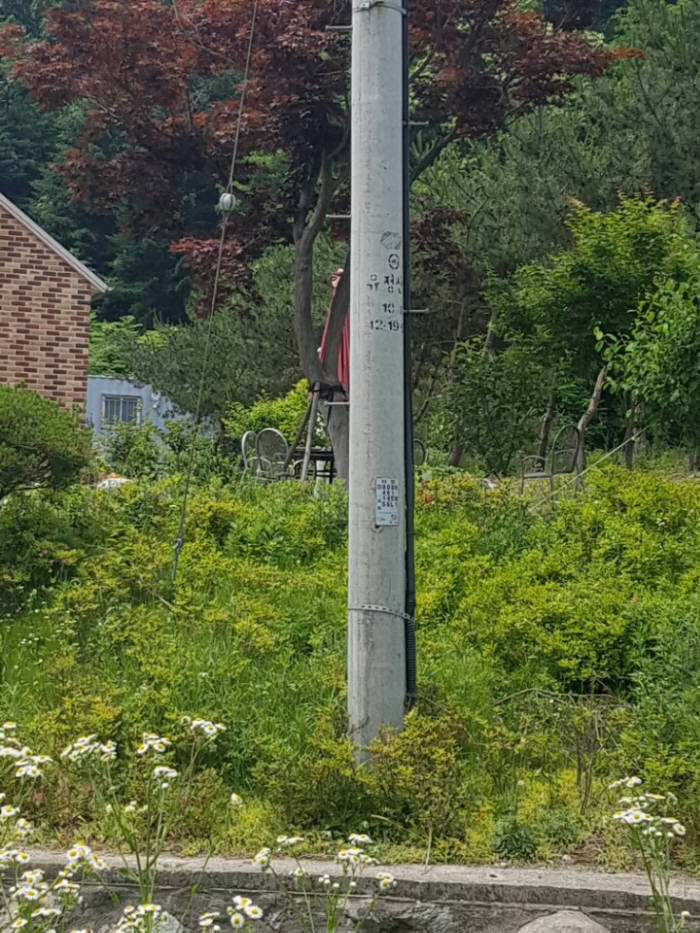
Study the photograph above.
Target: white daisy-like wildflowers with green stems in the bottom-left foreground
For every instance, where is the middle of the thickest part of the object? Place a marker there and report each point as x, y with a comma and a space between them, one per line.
167, 786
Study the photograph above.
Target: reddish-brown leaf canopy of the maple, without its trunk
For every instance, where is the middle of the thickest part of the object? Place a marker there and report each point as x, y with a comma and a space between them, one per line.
202, 45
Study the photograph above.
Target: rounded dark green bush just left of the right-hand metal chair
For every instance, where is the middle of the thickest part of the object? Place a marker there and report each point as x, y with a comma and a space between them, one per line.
492, 401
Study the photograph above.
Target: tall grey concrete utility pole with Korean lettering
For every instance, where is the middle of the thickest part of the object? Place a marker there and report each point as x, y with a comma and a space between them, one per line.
377, 481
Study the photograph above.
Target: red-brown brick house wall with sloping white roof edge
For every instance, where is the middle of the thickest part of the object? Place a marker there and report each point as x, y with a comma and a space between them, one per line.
45, 299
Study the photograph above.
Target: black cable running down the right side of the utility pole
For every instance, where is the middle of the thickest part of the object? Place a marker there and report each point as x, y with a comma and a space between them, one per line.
410, 600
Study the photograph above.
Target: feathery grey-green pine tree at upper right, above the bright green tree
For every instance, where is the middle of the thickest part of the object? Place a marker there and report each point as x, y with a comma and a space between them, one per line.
634, 131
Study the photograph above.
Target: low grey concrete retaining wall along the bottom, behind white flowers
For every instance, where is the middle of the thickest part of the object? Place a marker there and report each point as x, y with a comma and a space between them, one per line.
439, 899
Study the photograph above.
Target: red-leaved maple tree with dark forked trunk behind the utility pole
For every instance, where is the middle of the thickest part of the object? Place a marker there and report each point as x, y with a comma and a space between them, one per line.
160, 85
